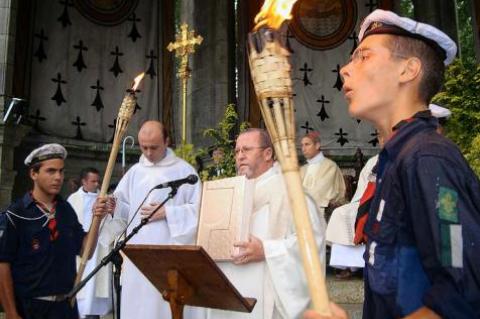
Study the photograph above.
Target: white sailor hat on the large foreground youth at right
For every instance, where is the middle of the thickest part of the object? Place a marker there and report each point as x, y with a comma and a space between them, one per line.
387, 22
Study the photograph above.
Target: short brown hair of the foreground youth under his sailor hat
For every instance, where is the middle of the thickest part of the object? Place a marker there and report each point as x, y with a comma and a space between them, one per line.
433, 68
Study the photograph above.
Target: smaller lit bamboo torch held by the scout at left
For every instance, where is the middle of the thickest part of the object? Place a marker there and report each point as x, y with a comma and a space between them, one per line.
123, 118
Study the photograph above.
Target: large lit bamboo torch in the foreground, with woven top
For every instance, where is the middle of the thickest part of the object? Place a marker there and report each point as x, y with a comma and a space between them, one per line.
270, 70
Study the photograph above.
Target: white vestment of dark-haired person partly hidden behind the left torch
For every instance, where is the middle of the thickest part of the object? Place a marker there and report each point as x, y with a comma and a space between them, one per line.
95, 297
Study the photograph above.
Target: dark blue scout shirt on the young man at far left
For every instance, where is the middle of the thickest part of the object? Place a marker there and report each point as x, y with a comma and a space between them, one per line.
40, 267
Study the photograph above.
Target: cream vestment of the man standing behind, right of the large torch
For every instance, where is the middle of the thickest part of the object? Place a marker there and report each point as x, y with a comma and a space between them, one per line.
323, 181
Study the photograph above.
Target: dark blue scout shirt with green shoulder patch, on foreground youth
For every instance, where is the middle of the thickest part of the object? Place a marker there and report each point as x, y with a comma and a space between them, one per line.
423, 227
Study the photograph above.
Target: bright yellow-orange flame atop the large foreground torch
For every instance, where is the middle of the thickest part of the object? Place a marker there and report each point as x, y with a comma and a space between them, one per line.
273, 13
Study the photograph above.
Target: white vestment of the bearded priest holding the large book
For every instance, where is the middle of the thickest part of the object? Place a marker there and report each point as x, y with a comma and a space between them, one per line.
278, 283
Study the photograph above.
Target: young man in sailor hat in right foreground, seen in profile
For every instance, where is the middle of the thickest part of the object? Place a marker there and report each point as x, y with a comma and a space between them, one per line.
423, 226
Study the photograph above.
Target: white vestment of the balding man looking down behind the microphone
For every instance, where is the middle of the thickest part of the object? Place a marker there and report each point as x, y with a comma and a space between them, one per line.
140, 299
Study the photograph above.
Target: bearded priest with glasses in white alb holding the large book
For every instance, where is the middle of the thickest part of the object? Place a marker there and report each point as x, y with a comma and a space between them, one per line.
268, 266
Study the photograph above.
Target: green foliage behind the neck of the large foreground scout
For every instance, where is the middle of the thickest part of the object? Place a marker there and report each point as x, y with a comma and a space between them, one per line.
461, 95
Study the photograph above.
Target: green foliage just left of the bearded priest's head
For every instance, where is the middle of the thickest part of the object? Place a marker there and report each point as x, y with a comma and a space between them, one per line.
224, 138
